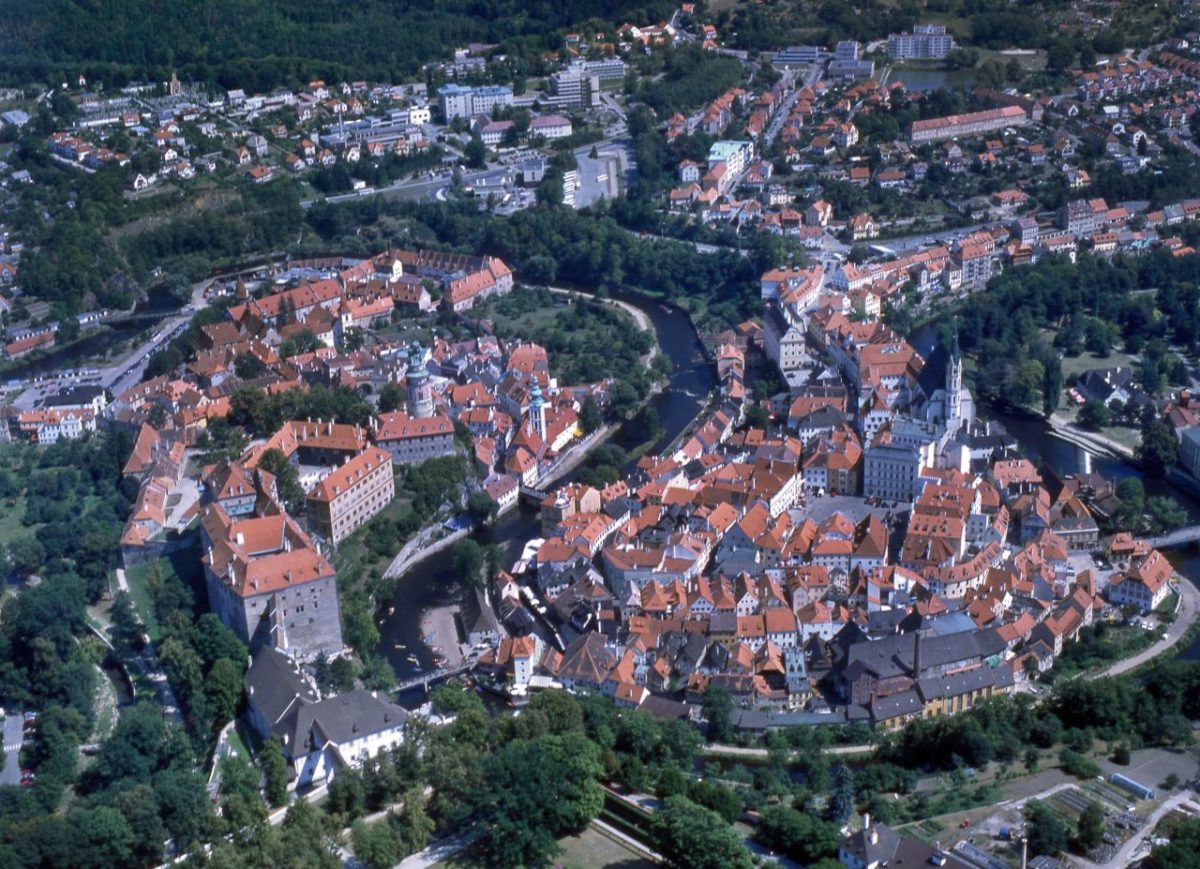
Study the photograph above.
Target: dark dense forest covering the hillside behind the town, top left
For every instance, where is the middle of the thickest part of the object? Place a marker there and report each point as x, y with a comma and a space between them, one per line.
259, 45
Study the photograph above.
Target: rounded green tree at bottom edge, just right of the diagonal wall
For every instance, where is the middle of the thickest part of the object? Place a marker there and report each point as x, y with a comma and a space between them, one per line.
698, 838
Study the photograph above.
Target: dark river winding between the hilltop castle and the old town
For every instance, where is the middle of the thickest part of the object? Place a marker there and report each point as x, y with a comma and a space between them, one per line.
433, 583
